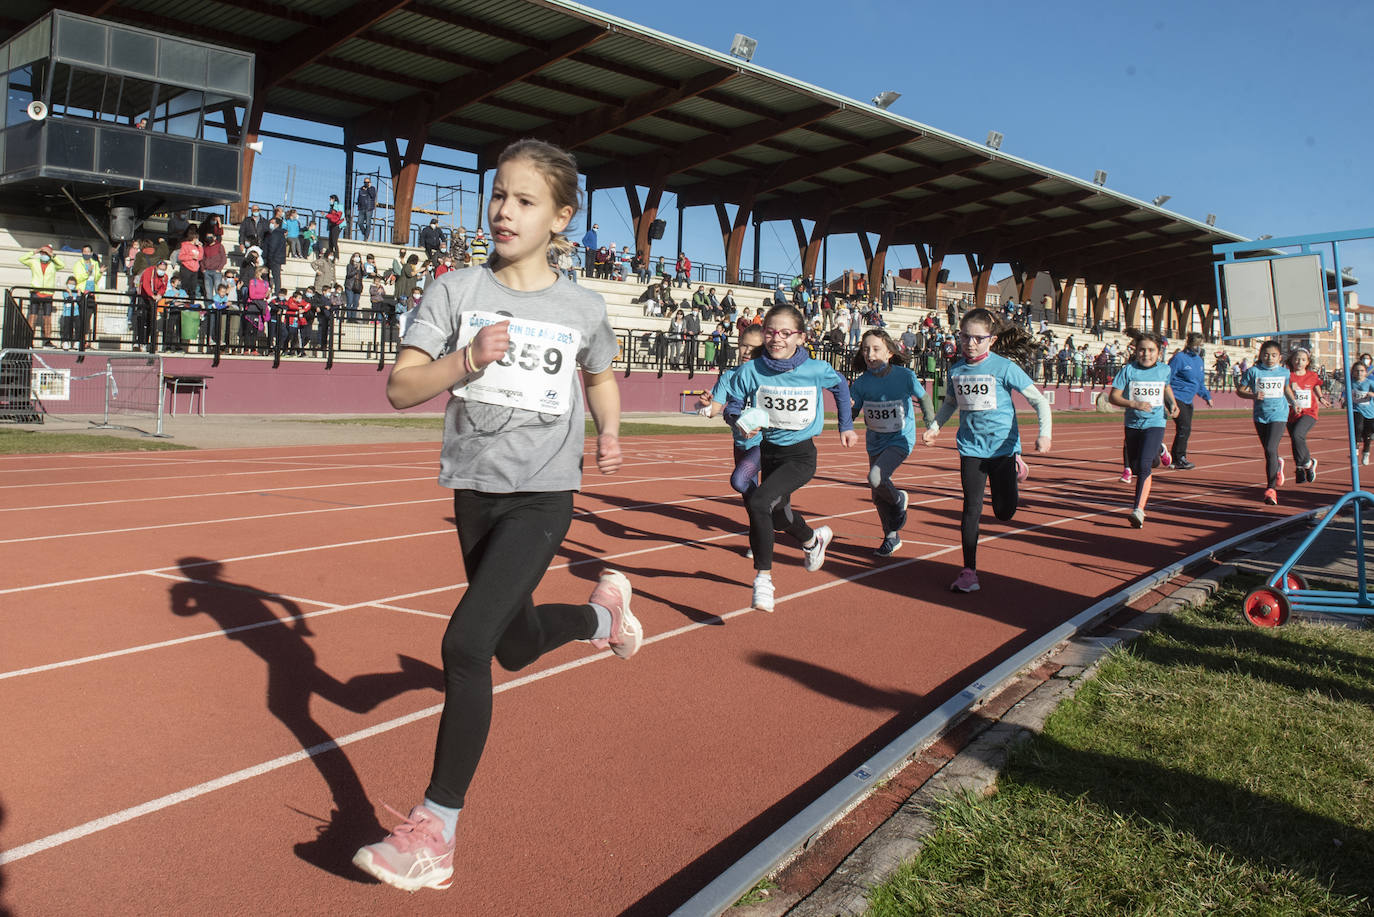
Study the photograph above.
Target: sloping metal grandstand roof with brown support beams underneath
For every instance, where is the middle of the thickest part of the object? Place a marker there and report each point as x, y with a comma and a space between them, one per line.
638, 107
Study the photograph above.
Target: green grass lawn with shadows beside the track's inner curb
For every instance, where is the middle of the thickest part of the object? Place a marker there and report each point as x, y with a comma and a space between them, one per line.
1211, 768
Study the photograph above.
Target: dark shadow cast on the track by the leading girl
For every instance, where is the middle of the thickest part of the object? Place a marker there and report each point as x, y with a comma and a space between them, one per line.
293, 678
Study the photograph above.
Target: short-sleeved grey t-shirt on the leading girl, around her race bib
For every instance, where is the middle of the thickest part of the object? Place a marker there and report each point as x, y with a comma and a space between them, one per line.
508, 450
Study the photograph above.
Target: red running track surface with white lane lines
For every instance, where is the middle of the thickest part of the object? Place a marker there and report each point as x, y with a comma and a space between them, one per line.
153, 754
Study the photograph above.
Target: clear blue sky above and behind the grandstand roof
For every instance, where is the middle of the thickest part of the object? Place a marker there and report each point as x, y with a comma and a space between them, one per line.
1258, 112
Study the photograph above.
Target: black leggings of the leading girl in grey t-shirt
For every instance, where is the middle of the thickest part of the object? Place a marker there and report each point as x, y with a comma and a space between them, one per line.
508, 542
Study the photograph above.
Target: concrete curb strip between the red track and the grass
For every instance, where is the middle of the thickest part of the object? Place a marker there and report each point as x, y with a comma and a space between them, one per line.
976, 768
